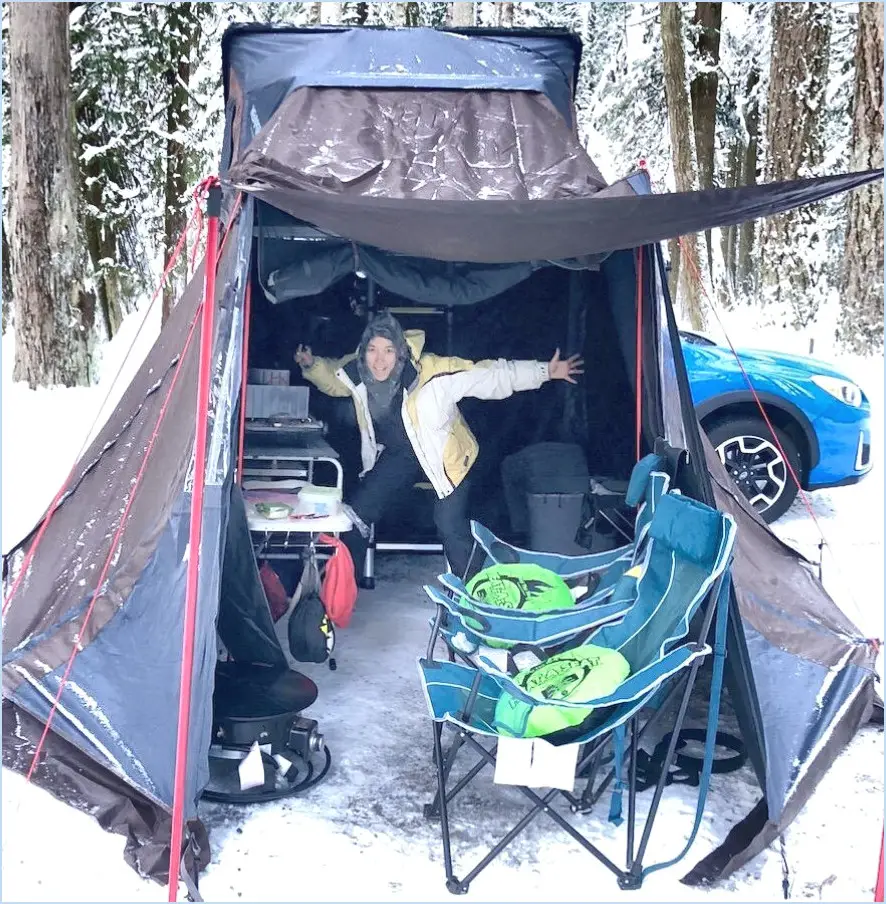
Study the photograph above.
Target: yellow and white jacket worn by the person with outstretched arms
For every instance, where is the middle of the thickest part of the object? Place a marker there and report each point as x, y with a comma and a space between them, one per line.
433, 385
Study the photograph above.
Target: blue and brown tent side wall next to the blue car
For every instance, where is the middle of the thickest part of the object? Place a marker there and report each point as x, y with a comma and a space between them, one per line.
801, 674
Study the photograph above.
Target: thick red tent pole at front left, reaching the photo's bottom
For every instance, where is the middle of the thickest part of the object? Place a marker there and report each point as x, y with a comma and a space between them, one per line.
213, 209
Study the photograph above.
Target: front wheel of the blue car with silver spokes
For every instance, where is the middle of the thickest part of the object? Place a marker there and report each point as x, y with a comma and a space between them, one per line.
753, 460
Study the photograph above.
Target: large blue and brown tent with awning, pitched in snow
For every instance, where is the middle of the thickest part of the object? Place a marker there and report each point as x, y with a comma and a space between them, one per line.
434, 167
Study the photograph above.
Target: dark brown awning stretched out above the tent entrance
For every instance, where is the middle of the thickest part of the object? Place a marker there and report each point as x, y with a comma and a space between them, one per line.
484, 231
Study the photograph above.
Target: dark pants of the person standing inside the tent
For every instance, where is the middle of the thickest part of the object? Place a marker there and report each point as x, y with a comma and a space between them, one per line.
395, 472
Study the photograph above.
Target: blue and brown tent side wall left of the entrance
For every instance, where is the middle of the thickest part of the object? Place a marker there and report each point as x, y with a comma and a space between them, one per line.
124, 718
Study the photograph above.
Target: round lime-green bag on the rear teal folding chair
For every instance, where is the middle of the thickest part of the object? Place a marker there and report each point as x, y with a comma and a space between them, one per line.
522, 586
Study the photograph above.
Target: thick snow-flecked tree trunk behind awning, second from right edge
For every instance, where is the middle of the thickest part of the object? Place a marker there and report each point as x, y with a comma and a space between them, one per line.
797, 76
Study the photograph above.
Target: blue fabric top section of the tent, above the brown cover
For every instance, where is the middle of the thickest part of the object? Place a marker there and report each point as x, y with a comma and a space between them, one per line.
262, 68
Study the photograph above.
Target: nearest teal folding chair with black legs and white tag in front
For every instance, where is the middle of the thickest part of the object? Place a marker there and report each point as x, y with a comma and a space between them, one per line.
684, 573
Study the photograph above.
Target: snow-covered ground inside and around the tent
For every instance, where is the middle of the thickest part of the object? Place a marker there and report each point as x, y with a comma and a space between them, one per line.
361, 836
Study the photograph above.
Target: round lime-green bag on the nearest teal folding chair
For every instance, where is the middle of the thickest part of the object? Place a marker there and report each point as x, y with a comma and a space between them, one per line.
584, 673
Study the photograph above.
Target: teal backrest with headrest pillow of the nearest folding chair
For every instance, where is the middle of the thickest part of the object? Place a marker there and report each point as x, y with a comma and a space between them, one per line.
691, 545
